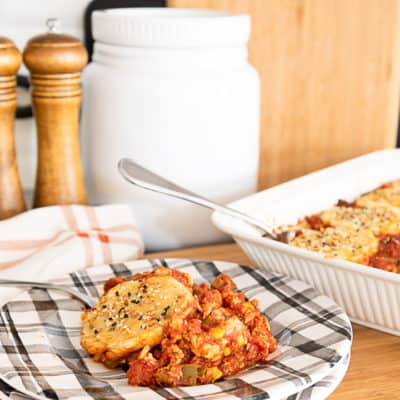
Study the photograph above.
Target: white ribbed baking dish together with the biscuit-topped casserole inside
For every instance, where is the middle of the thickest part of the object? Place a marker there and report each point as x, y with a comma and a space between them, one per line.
349, 250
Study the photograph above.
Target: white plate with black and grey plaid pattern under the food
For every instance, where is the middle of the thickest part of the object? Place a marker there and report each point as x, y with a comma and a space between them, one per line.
40, 339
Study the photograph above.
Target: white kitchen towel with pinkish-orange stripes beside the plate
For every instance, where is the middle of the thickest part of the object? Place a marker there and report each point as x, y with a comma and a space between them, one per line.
48, 242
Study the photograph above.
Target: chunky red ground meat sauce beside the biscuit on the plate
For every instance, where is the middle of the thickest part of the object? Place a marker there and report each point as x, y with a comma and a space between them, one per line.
223, 336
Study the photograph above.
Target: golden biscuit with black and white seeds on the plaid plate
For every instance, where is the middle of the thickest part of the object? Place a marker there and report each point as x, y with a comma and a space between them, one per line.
132, 314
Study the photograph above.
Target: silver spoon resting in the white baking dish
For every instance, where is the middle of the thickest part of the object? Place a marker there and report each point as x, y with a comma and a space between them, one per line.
144, 178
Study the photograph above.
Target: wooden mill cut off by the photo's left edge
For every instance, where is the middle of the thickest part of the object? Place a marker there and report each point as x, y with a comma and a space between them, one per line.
11, 195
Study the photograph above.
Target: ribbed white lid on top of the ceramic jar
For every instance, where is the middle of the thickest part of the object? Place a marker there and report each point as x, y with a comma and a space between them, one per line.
170, 27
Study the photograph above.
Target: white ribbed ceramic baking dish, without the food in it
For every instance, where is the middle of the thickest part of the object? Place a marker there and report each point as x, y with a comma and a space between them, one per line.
370, 296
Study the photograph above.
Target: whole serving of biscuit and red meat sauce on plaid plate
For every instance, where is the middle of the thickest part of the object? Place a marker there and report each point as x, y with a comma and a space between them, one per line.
164, 330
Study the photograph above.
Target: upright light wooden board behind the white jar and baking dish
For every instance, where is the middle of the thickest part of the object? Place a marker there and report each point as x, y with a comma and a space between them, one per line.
330, 75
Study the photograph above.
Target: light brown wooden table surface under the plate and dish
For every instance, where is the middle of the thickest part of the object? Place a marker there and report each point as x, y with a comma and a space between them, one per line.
374, 372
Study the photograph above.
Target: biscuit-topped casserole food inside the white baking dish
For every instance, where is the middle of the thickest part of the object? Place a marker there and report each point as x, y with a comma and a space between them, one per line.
365, 231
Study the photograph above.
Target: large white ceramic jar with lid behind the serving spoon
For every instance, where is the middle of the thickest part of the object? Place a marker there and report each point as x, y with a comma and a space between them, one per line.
172, 89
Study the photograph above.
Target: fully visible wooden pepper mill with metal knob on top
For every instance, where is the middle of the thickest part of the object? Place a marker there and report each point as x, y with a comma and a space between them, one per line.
55, 62
